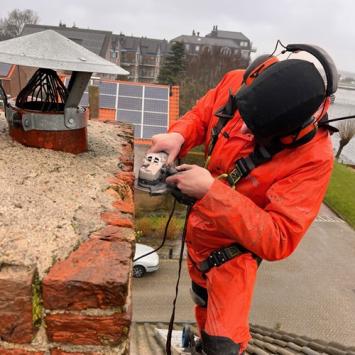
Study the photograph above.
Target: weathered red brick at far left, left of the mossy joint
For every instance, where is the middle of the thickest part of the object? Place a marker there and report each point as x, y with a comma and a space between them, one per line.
16, 325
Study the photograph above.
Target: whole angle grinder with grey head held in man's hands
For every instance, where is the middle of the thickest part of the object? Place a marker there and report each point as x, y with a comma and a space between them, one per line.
152, 178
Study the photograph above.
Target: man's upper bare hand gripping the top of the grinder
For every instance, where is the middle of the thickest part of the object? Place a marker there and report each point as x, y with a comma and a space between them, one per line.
169, 143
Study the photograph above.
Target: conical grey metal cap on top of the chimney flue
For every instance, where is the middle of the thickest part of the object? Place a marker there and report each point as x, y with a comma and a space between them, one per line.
48, 49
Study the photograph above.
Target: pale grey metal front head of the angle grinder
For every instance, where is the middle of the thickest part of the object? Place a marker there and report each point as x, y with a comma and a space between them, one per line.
150, 177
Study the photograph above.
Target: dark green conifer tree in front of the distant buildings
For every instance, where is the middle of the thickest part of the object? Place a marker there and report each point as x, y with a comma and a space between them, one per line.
173, 68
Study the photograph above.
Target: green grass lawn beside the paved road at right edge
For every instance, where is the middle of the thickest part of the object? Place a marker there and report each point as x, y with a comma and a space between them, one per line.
341, 192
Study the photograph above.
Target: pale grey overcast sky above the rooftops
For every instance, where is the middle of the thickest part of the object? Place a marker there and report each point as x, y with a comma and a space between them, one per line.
327, 23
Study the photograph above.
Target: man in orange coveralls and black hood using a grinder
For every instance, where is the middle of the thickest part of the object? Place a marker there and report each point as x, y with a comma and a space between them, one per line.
267, 212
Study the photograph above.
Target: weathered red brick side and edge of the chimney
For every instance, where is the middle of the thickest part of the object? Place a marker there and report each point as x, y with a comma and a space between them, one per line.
83, 304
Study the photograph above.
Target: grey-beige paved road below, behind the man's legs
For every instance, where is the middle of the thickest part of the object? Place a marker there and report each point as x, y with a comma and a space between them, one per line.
311, 293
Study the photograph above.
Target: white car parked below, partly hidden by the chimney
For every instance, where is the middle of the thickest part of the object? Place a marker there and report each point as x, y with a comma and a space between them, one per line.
148, 263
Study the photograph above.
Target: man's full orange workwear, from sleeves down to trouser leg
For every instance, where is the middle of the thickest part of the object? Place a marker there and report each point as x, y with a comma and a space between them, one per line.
268, 212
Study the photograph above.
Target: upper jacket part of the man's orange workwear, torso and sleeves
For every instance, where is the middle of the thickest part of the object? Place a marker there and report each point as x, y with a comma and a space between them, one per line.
270, 210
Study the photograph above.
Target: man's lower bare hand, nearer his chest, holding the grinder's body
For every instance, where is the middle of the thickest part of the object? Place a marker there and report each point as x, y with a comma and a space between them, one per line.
192, 180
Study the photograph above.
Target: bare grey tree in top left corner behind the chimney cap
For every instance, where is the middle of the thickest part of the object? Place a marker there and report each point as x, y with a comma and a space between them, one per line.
12, 25
